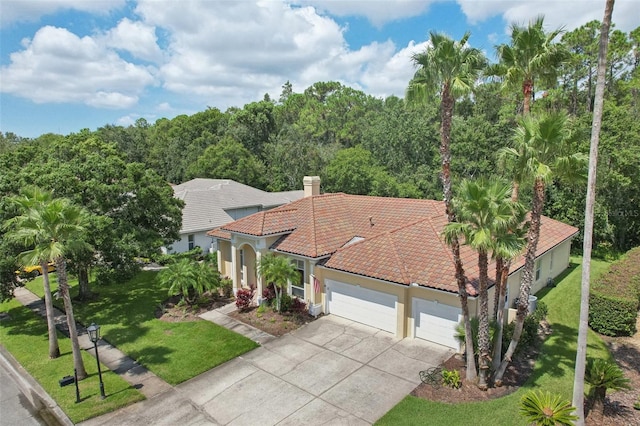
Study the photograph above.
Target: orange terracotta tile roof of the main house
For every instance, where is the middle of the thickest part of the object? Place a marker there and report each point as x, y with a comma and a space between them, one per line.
396, 240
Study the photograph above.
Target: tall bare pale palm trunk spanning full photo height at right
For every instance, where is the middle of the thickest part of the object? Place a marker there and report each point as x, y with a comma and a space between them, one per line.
581, 353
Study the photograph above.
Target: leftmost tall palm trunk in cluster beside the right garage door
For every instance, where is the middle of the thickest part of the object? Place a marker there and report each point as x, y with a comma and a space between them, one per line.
446, 114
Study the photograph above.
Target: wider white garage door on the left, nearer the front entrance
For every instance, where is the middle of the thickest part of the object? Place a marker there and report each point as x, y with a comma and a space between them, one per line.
362, 305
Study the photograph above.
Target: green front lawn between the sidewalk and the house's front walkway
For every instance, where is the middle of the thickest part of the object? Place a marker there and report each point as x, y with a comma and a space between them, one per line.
173, 351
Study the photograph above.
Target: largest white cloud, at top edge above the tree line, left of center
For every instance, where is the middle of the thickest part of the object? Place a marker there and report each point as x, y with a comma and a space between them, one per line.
231, 53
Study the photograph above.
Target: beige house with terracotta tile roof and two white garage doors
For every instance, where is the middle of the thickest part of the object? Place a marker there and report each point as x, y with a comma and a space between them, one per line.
378, 261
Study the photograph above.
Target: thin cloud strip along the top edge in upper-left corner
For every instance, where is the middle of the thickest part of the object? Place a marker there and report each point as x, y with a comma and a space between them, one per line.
30, 10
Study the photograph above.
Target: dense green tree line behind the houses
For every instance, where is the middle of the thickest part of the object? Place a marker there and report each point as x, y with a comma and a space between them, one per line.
356, 142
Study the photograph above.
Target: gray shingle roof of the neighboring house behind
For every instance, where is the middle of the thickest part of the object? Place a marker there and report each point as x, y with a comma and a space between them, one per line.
208, 201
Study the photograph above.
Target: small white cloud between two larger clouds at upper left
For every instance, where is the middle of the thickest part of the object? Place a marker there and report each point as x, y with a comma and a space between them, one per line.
136, 38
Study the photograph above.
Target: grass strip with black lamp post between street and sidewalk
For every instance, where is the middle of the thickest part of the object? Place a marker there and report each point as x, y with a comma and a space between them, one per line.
24, 334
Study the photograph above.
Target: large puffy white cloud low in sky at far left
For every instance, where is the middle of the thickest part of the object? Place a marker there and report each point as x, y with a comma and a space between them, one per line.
57, 66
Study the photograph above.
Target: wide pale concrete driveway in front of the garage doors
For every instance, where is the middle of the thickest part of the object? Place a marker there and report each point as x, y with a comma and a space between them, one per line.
332, 371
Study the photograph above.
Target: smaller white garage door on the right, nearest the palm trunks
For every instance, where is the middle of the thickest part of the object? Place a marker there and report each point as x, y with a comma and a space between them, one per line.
436, 322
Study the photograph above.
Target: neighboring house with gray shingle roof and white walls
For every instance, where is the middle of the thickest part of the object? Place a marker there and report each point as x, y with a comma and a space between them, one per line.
210, 203
